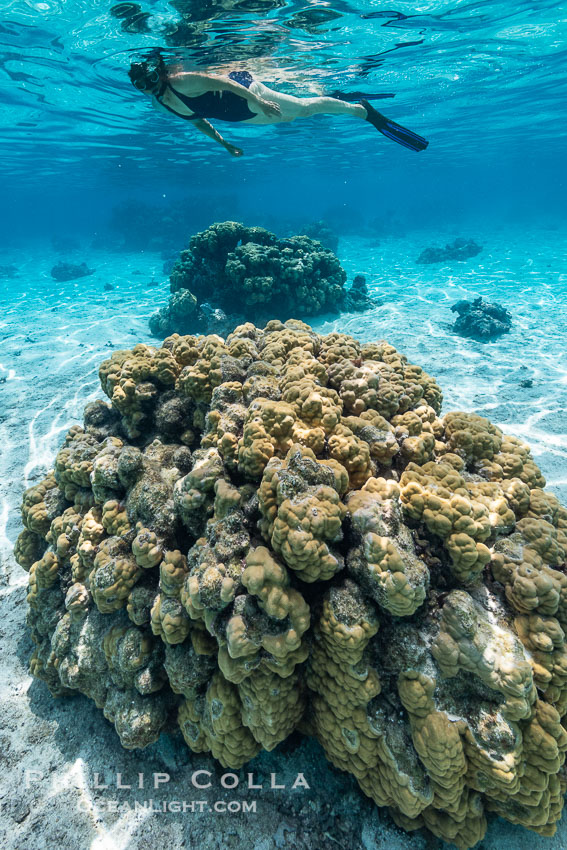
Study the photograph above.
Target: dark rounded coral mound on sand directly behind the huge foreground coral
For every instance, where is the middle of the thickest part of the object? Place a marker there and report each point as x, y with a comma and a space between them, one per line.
237, 269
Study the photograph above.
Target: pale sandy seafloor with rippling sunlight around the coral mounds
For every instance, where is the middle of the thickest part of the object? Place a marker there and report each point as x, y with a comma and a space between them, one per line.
52, 338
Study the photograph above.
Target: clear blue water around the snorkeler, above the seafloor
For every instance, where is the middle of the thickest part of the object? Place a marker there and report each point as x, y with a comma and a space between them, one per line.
485, 82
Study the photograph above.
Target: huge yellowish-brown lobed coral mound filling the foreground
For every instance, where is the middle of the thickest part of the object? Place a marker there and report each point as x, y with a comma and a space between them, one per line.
277, 531
